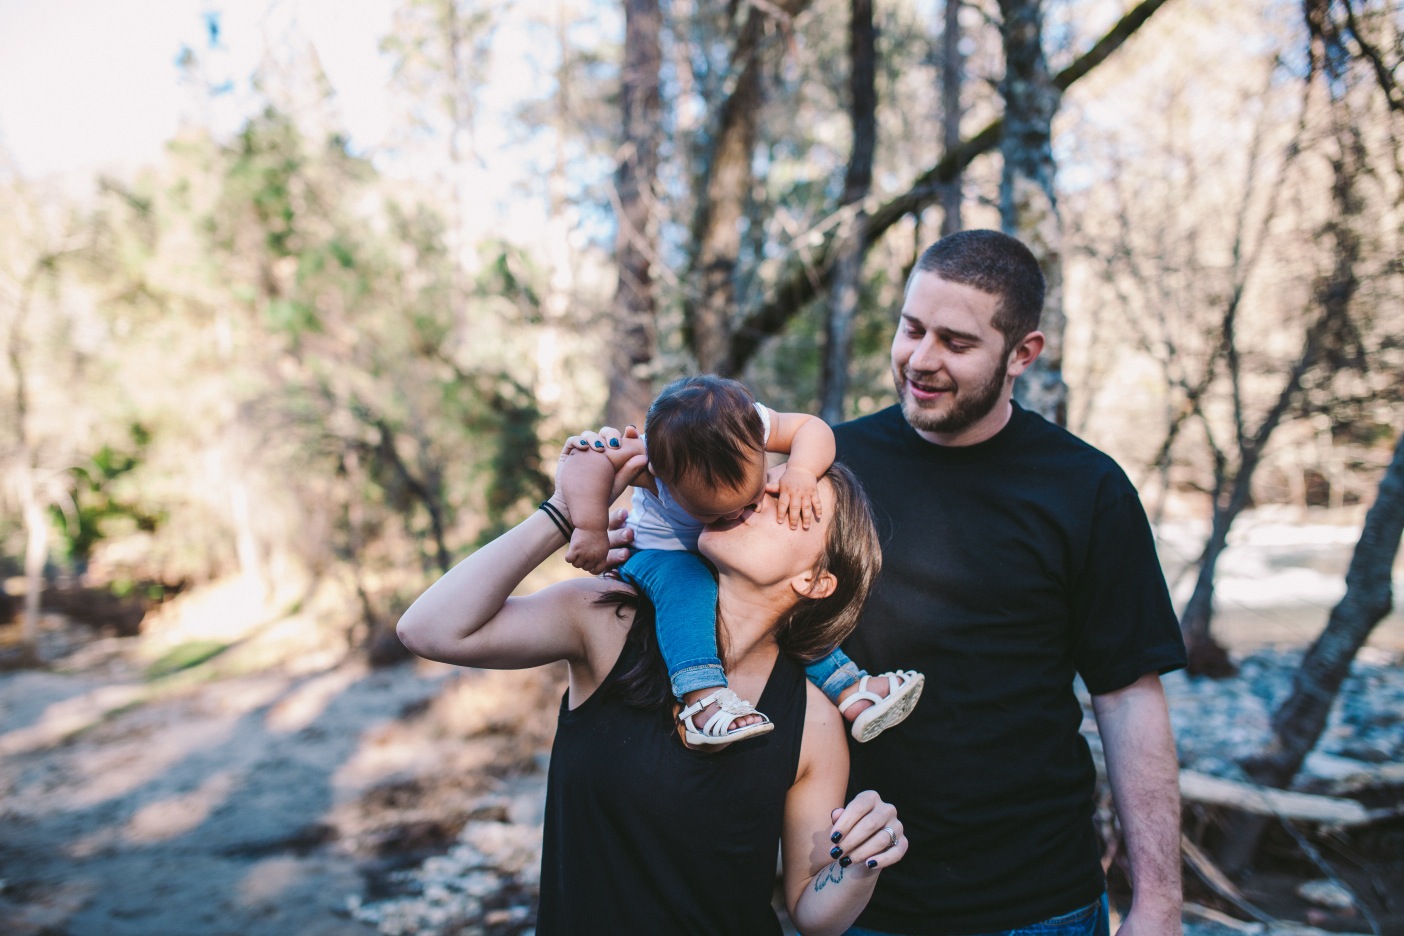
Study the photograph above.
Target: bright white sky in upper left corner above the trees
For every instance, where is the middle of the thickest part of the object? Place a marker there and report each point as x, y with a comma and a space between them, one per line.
95, 83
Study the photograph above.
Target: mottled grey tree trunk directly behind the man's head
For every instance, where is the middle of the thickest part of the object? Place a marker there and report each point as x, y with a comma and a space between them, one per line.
1028, 206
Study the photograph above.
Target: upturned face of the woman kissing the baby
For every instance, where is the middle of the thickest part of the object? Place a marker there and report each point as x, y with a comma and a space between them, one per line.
763, 551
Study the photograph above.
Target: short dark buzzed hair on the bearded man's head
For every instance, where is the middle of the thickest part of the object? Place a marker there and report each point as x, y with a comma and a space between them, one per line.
995, 263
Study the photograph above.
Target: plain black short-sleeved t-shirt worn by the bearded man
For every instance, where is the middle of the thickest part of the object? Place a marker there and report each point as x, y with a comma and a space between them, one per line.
1009, 566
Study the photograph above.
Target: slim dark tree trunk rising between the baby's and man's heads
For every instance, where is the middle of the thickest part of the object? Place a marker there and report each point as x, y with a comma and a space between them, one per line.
845, 295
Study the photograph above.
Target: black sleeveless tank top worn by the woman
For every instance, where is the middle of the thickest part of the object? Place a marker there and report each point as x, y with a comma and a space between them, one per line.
645, 837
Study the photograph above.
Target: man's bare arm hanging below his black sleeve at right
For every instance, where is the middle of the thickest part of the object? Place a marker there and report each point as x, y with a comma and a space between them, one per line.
1145, 777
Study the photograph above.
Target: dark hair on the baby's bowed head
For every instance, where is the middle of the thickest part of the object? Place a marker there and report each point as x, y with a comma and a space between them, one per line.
706, 429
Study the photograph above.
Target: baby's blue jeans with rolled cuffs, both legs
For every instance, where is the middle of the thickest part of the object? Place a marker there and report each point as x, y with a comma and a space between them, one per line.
683, 591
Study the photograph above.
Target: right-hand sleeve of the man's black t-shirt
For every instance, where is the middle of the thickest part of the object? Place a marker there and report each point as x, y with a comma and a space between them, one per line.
1124, 622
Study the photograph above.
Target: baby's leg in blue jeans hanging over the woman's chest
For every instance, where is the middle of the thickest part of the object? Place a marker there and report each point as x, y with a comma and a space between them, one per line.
683, 591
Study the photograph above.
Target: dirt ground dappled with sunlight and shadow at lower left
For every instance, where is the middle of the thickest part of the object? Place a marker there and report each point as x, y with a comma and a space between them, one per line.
252, 805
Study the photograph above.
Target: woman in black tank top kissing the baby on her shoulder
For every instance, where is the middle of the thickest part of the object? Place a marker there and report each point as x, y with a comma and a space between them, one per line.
645, 836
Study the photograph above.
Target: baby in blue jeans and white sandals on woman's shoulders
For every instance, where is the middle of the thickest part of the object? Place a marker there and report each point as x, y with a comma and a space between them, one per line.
707, 440
